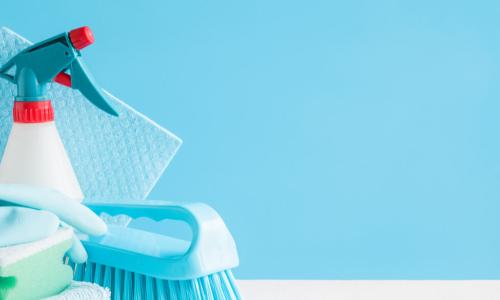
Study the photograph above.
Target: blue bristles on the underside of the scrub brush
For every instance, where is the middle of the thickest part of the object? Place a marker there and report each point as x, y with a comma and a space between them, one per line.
125, 285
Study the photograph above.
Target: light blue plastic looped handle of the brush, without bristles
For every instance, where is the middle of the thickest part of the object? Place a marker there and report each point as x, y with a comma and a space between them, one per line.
212, 248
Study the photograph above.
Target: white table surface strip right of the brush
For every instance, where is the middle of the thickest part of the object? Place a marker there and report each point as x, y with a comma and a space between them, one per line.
357, 290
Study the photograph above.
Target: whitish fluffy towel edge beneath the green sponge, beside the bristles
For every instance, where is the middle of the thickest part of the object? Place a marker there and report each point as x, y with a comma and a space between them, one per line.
83, 291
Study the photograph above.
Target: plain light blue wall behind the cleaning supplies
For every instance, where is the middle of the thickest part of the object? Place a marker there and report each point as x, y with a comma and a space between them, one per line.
338, 140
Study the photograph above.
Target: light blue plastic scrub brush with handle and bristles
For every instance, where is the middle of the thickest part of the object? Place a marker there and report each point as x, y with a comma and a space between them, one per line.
143, 264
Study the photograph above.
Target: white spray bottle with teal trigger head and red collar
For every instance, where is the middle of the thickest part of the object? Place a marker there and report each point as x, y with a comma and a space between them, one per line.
34, 128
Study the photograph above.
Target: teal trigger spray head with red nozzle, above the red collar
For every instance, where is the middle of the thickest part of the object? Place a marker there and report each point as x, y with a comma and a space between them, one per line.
55, 59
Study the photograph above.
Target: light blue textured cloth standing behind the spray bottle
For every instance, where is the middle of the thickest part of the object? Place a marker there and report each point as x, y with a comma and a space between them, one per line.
115, 159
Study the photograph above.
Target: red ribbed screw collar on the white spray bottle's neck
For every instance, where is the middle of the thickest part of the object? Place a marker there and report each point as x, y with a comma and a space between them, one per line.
33, 111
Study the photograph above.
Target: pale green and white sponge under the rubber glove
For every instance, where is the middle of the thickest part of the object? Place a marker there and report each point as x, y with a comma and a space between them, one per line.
35, 270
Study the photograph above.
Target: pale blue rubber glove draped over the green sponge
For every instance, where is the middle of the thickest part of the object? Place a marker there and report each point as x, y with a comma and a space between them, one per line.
29, 213
